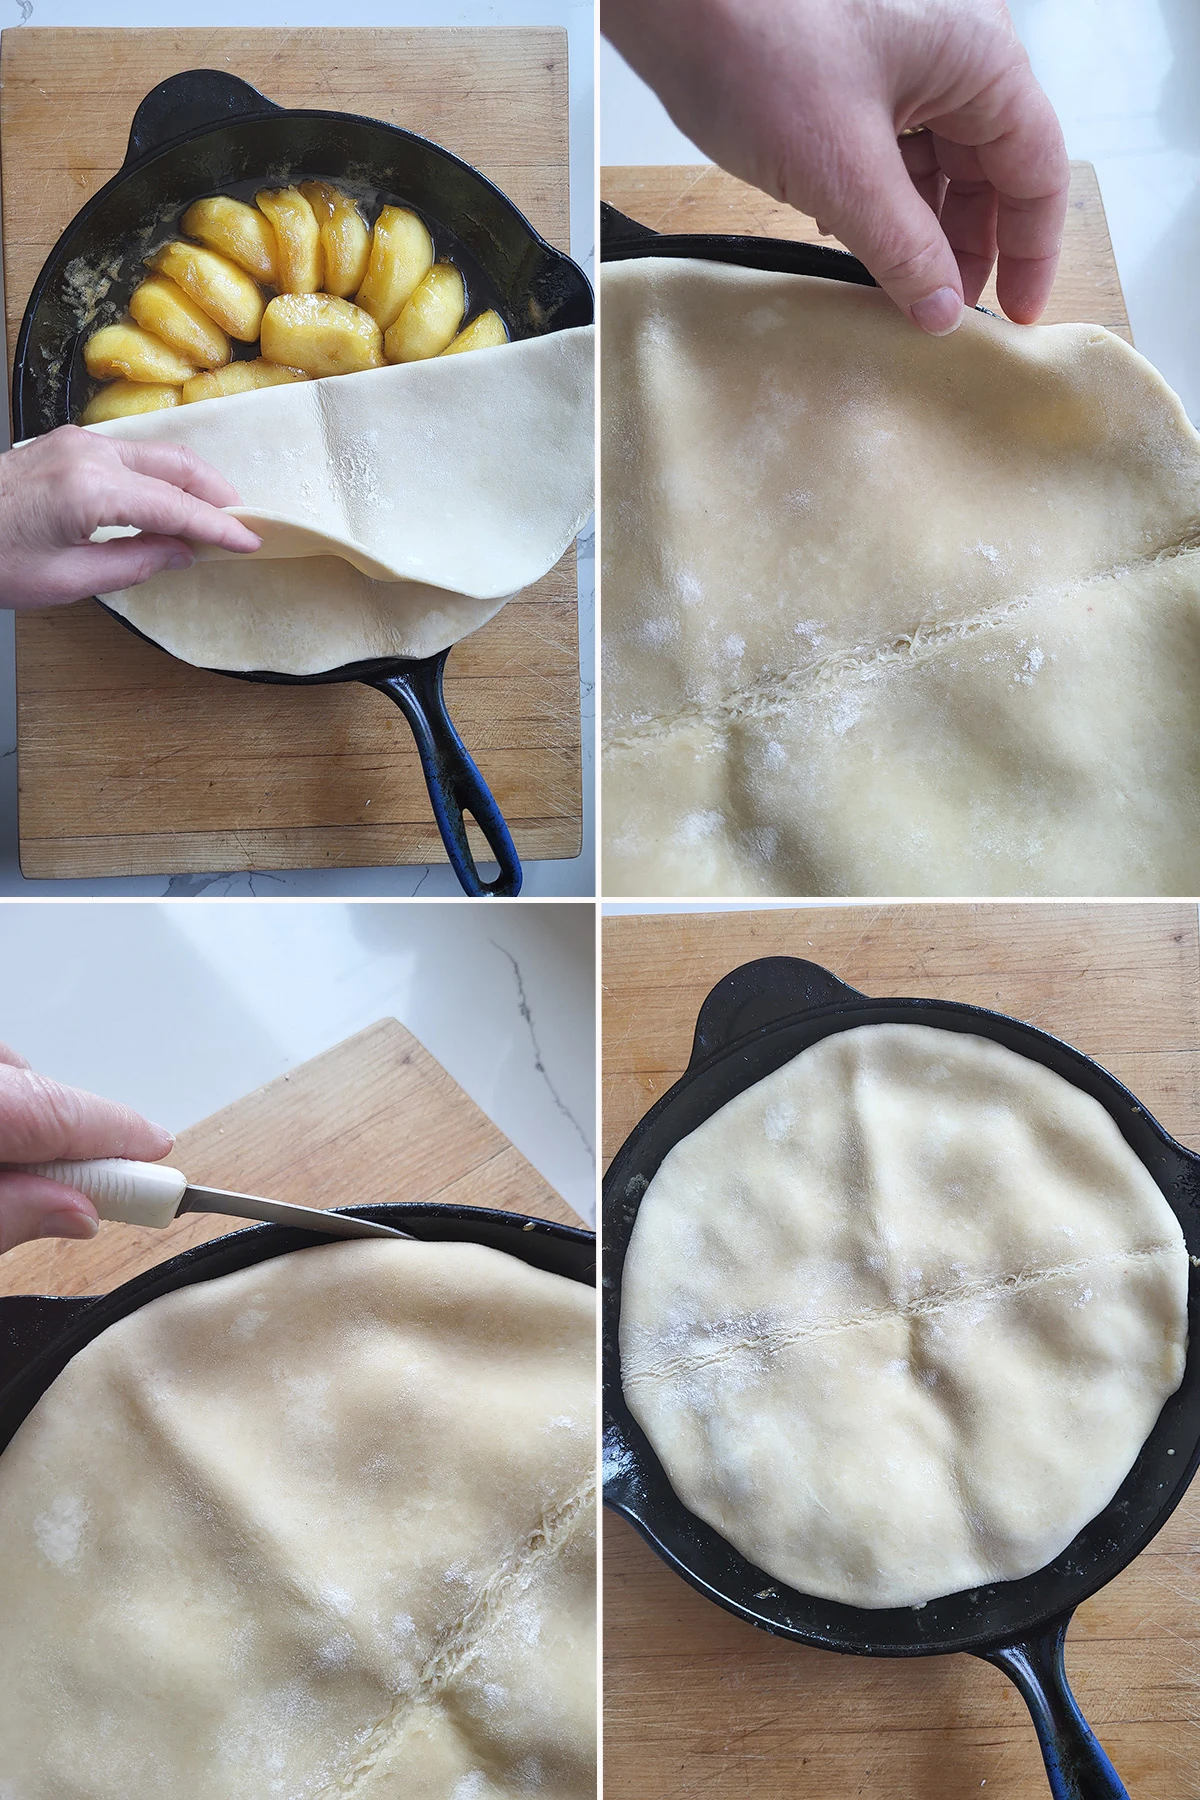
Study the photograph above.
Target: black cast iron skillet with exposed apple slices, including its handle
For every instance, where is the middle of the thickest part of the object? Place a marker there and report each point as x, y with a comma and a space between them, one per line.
206, 132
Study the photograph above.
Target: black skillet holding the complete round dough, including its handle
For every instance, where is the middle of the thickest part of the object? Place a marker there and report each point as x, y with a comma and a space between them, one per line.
755, 1021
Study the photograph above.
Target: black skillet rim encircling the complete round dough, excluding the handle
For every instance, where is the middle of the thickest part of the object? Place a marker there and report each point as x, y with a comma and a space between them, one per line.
854, 1630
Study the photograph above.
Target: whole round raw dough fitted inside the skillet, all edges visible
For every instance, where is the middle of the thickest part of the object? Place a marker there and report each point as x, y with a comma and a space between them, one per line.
899, 1318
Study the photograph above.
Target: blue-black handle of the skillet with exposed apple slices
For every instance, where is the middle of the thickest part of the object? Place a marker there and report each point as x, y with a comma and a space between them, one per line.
452, 778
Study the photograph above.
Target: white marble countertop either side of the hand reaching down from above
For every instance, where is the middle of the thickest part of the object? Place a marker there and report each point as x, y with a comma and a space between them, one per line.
1124, 76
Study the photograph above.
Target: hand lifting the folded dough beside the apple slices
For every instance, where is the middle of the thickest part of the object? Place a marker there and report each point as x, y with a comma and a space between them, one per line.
58, 490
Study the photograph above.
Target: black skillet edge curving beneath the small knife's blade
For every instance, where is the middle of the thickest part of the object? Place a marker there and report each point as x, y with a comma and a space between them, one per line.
40, 1333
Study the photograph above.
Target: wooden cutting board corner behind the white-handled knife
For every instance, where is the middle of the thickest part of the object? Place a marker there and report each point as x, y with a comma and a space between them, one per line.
372, 1120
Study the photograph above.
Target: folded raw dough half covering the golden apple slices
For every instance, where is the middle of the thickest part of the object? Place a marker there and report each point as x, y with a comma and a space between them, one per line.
418, 499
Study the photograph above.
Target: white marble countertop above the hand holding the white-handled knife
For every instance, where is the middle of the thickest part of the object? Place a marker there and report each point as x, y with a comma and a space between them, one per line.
183, 1009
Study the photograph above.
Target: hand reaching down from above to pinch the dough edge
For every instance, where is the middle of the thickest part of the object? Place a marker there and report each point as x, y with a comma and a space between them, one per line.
807, 100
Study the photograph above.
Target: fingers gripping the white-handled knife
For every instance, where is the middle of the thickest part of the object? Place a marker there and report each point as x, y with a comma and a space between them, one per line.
42, 1122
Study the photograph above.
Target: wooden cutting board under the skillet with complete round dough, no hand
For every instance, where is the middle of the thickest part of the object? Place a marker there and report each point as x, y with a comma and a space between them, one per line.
704, 1705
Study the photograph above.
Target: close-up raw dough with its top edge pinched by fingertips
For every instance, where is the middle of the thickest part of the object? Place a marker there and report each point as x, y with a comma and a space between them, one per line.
890, 613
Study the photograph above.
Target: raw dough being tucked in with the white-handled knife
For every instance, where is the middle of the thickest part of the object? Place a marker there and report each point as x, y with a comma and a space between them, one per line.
318, 1529
